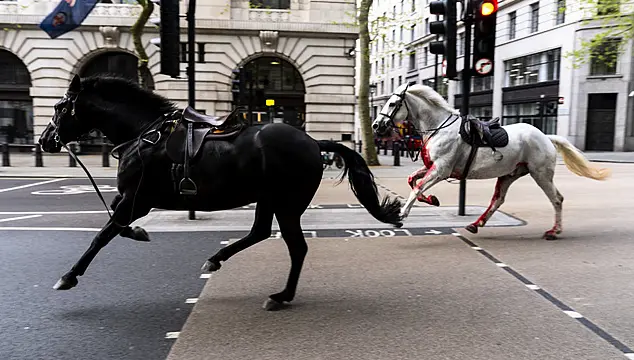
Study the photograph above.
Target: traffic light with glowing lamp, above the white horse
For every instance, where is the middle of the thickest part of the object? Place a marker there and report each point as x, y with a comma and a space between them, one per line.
484, 37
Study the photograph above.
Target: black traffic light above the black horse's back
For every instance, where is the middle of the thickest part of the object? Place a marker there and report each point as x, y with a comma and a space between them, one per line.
169, 40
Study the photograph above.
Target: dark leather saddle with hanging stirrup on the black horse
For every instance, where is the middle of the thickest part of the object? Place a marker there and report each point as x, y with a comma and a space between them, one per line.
191, 131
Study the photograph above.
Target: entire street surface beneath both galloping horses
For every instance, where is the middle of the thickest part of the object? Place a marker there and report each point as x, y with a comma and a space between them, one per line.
429, 290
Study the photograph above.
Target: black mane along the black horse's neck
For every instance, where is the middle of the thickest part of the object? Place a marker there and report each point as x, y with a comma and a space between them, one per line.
113, 86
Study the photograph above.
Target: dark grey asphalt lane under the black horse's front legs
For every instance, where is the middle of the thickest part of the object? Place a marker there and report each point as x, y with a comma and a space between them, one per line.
131, 297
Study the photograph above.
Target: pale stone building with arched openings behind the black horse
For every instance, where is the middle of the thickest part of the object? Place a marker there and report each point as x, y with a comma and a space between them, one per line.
298, 51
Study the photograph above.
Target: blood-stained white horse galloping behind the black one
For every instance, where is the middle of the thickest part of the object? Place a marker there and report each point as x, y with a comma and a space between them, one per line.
445, 153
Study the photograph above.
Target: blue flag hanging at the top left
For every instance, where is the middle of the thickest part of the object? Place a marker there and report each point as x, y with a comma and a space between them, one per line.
67, 16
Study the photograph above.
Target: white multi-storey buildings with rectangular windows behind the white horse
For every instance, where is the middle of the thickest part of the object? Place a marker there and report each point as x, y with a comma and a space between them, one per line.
533, 79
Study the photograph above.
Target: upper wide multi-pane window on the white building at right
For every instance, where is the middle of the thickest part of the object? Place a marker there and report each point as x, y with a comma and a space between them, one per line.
533, 68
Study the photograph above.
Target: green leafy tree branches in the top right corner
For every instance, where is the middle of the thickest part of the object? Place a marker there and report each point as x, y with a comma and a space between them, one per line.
605, 46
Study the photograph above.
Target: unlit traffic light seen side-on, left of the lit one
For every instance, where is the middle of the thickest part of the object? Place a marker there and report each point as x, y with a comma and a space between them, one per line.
447, 28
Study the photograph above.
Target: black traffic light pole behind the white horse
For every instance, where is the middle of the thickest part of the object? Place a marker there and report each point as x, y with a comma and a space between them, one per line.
466, 85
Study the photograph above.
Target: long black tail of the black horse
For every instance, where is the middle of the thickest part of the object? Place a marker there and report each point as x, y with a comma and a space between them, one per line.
363, 185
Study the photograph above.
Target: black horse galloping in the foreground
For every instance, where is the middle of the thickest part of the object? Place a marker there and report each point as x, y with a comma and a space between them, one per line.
276, 166
